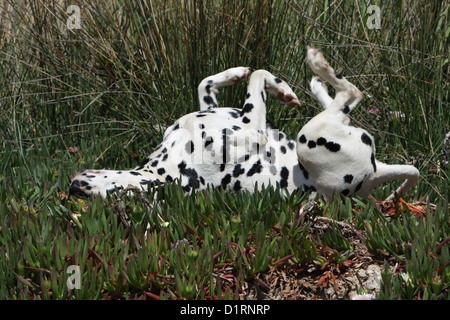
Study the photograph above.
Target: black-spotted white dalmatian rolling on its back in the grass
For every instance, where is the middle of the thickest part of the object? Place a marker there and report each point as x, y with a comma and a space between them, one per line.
238, 149
